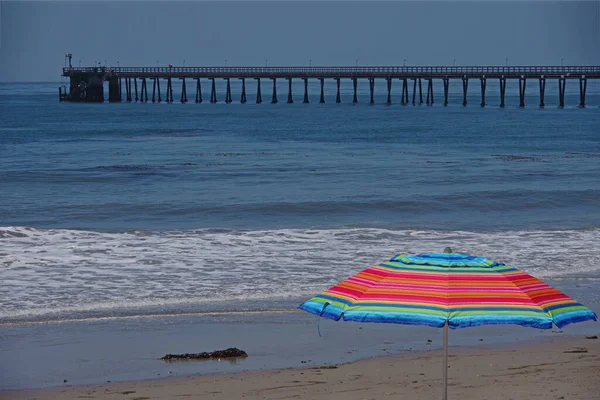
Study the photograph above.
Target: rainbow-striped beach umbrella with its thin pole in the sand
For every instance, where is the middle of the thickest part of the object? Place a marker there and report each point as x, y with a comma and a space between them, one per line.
449, 290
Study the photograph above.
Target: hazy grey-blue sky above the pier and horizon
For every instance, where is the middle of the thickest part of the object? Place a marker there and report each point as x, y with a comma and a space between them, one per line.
36, 35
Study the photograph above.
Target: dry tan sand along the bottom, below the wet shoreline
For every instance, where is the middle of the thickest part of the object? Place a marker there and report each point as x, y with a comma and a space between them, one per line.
558, 368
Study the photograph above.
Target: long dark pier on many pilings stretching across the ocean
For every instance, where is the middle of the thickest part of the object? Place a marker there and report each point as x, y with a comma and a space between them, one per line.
86, 84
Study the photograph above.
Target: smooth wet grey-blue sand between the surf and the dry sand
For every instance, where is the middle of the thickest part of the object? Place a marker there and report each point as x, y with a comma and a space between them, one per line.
120, 348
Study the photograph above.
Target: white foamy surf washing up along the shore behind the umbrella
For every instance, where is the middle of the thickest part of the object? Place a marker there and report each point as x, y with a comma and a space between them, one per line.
48, 272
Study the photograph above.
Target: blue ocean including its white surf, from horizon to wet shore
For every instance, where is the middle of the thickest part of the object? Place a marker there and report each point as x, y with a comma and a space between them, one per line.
111, 210
